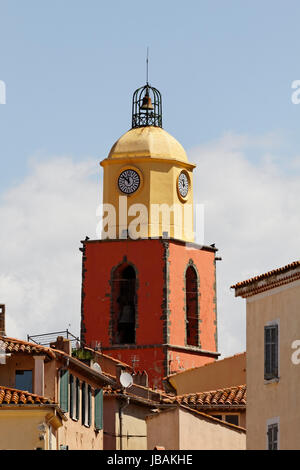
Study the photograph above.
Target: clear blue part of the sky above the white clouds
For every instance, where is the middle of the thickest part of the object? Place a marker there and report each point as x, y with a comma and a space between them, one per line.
71, 67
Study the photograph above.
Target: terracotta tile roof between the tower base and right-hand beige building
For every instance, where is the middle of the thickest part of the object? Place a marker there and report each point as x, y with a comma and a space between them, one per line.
232, 396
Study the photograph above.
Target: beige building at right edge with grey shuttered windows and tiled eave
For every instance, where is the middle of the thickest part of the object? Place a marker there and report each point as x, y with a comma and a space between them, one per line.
273, 358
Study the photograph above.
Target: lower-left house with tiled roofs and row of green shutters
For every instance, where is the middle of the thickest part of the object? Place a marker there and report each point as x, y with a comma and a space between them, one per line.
57, 398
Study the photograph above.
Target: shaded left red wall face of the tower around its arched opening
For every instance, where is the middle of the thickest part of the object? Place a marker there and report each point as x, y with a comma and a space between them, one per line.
101, 257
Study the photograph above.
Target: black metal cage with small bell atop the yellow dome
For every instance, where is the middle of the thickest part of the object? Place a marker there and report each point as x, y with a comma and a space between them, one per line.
146, 107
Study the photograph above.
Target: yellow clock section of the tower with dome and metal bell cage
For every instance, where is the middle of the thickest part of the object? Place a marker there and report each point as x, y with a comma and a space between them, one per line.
148, 181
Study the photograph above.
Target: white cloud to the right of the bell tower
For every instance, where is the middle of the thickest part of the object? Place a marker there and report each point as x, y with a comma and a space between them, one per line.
252, 214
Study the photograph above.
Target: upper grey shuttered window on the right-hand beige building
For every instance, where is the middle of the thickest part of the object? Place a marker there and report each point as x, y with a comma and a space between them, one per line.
271, 351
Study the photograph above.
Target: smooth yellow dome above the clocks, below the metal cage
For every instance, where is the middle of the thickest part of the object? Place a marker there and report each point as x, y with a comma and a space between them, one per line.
148, 141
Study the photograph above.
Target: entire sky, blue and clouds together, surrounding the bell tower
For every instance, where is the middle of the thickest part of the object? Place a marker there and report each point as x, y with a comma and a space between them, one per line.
225, 70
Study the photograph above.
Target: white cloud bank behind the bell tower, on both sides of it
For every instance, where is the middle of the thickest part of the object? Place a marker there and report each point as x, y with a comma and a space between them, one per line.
251, 213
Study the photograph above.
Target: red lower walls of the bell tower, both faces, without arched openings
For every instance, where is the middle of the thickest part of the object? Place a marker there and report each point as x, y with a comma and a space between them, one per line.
160, 302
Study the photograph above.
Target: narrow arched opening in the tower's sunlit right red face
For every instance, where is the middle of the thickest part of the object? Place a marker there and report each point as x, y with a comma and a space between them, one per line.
192, 316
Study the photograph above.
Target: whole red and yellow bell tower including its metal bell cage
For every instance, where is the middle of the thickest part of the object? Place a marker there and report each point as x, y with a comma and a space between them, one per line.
148, 291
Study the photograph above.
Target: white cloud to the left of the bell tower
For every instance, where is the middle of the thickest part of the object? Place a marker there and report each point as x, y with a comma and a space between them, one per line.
43, 220
